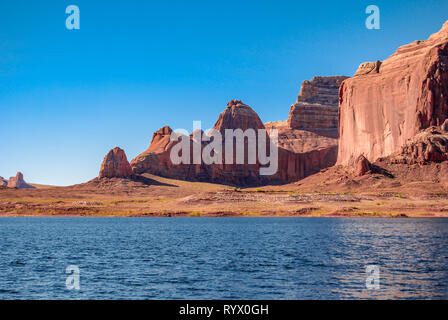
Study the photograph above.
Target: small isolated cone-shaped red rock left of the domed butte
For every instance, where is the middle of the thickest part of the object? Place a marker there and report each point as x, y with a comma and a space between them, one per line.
115, 165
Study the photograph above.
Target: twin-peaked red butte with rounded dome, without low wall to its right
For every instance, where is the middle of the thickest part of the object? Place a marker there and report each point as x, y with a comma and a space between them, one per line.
157, 158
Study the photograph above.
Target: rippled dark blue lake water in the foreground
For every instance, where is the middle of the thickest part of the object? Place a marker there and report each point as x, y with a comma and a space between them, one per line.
223, 258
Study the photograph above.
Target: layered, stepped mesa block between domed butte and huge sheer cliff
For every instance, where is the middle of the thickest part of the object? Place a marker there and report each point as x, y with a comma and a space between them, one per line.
317, 104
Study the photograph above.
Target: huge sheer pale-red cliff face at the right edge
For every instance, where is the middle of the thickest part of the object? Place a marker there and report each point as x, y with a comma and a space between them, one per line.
387, 103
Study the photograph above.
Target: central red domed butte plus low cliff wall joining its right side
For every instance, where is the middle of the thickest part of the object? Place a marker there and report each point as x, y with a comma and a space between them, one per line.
291, 165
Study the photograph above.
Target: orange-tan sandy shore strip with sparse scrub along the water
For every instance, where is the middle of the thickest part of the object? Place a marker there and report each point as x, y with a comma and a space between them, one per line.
182, 198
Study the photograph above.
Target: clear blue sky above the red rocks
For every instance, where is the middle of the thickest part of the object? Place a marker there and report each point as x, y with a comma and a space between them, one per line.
68, 96
